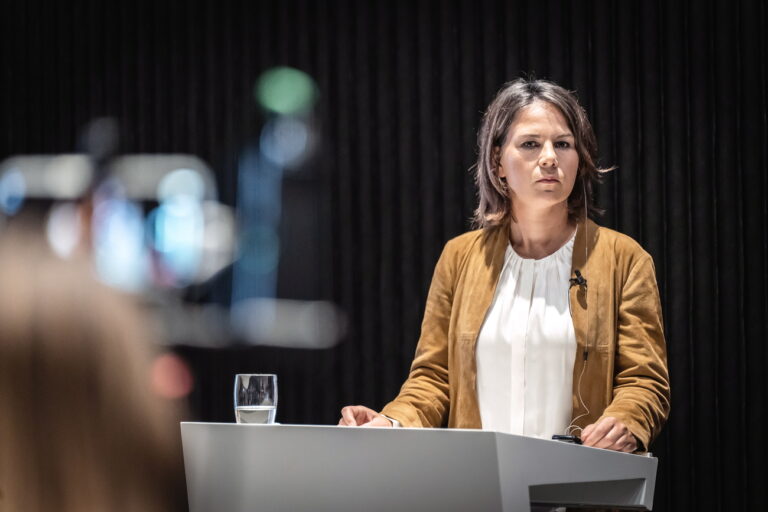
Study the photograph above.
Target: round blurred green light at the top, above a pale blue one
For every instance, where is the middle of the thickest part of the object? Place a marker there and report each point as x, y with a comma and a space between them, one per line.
285, 90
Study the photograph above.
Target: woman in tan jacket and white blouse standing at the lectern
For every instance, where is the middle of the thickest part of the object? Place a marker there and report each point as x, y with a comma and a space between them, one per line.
539, 322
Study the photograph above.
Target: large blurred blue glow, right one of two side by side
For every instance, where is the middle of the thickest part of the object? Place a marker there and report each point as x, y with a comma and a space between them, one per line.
177, 227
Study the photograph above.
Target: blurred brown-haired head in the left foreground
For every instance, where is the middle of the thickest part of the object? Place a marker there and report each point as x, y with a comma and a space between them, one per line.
80, 428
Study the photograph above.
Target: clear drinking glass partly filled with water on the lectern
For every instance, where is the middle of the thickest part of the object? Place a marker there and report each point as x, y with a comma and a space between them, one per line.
255, 398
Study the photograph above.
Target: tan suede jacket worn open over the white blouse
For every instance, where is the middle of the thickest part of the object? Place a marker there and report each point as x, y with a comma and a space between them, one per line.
616, 316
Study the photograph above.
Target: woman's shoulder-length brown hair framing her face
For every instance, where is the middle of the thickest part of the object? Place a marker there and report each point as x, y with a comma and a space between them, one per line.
494, 205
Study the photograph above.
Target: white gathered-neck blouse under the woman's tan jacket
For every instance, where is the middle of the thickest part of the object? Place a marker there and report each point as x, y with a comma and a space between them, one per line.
526, 348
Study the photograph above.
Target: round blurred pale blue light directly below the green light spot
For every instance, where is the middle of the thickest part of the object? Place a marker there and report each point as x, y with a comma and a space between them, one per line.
285, 141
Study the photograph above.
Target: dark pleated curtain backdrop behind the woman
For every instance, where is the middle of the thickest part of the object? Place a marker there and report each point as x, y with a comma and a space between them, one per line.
677, 95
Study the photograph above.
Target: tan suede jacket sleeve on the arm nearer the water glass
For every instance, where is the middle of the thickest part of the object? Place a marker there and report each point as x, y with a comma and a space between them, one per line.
424, 398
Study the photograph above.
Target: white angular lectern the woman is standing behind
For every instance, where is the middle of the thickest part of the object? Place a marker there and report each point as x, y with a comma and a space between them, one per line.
239, 468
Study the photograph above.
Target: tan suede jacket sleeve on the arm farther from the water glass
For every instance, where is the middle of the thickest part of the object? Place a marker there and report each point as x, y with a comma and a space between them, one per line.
641, 394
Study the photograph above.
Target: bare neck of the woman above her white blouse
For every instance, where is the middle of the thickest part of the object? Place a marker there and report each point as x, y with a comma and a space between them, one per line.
537, 234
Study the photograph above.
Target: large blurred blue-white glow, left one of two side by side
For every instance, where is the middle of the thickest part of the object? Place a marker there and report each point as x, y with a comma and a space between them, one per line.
121, 258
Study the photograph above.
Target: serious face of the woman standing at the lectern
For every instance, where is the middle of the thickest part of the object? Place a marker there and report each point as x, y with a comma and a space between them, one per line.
539, 158
